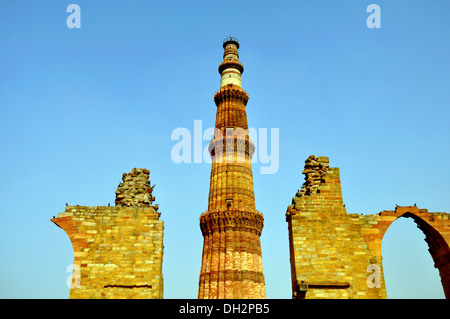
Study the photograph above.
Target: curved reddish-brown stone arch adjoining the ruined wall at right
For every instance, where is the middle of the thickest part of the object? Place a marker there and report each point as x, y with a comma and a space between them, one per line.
435, 226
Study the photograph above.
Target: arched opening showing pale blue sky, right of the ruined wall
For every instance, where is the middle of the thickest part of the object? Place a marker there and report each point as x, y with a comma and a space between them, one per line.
408, 261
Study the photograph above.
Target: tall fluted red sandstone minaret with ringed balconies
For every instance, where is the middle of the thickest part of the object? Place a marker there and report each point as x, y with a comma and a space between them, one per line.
231, 262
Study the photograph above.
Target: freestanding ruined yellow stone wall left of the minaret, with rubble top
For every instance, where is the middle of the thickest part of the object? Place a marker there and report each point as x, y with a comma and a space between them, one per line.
118, 251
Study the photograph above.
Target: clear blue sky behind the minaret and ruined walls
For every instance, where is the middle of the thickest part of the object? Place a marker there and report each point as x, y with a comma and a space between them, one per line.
79, 107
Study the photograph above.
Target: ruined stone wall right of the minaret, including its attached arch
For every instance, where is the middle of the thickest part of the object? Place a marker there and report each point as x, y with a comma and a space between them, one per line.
338, 255
